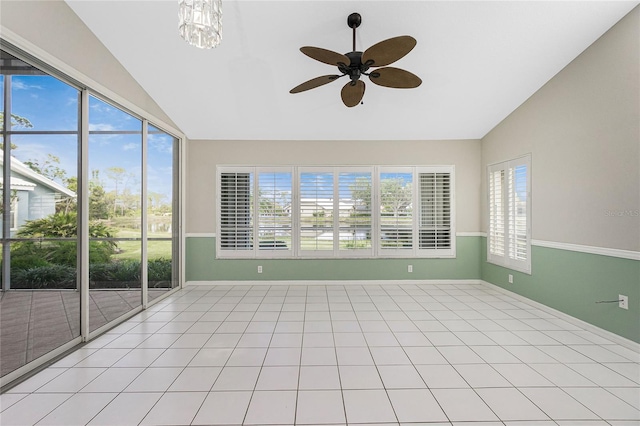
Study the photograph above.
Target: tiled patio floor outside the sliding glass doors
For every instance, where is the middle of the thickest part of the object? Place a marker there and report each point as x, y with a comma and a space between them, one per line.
35, 322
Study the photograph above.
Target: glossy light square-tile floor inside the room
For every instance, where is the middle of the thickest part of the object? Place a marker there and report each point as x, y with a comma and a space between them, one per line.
352, 354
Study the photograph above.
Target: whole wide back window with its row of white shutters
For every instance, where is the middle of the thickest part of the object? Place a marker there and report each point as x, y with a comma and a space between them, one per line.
339, 212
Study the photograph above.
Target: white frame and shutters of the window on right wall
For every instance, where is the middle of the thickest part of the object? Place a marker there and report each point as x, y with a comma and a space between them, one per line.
501, 234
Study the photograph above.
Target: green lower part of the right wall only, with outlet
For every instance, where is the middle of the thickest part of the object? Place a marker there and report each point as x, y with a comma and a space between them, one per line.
572, 282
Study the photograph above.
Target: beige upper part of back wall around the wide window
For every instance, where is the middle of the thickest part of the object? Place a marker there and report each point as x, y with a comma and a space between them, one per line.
203, 156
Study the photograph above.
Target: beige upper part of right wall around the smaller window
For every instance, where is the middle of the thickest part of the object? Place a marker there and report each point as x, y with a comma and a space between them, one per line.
582, 130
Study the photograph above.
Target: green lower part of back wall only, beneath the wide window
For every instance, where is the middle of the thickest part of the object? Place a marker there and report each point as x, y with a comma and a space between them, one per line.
202, 265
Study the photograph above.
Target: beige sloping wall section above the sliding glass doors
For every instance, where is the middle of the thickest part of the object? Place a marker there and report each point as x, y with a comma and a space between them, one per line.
53, 27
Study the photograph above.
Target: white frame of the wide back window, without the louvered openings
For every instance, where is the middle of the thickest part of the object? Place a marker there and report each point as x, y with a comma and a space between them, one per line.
376, 250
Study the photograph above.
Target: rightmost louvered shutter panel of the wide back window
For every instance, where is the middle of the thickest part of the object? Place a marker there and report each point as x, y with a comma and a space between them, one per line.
435, 211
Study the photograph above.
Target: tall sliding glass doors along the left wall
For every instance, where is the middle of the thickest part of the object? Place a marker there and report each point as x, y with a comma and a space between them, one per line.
113, 182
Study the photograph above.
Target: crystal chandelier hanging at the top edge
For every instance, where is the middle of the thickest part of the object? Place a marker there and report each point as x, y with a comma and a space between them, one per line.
200, 22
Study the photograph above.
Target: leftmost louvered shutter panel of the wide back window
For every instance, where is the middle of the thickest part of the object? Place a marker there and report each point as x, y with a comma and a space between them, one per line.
236, 212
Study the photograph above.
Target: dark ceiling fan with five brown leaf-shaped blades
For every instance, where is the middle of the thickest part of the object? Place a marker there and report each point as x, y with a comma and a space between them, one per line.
356, 64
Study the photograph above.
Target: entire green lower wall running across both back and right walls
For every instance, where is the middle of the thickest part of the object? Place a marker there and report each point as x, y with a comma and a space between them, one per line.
568, 281
